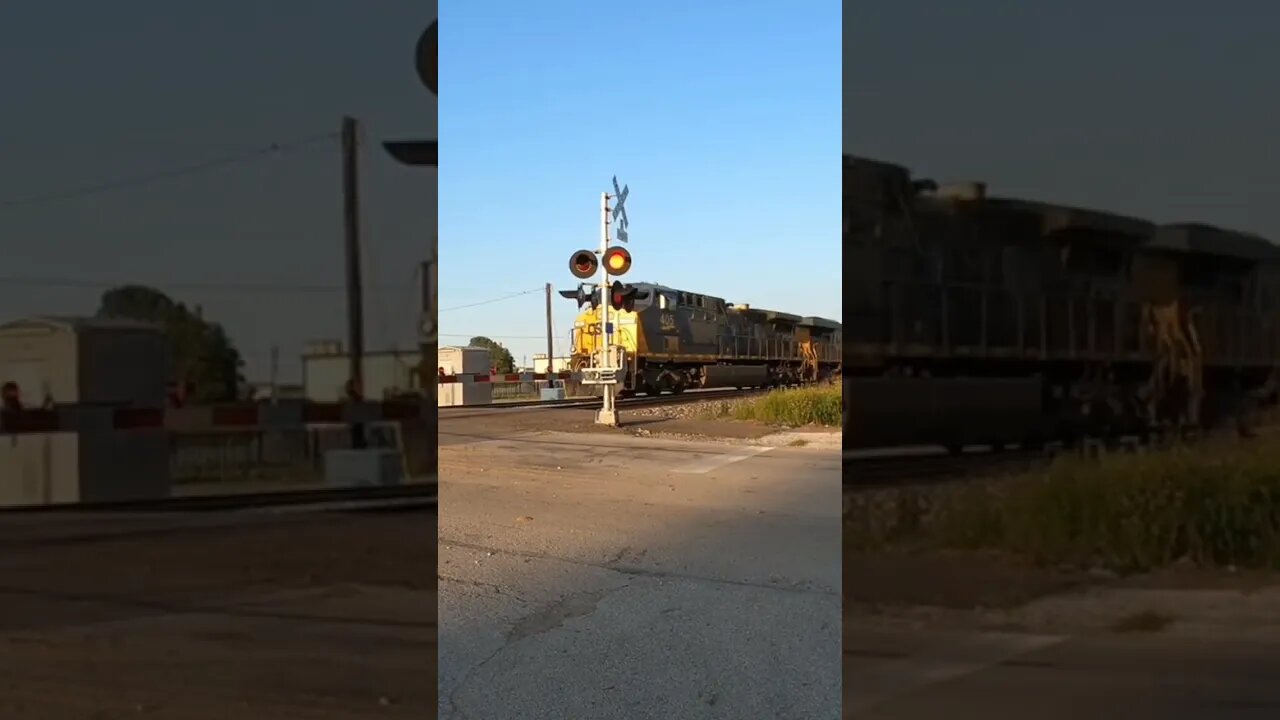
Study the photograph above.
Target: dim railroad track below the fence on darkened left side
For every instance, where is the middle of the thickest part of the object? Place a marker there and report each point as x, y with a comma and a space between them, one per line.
418, 494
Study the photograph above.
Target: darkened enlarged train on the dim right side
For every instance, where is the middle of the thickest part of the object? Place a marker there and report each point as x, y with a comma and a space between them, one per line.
973, 318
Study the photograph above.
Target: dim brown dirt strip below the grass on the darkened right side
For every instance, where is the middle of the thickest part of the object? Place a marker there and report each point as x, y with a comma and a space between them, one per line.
962, 590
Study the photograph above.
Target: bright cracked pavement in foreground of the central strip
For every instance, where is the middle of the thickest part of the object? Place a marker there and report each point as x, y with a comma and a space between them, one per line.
619, 577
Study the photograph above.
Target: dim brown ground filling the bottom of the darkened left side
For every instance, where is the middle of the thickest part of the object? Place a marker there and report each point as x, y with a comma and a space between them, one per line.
298, 617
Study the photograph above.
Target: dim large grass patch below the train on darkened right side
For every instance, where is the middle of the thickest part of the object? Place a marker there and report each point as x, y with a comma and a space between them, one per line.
1213, 504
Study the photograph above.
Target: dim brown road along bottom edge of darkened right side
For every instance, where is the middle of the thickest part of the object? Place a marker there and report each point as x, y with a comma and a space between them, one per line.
929, 675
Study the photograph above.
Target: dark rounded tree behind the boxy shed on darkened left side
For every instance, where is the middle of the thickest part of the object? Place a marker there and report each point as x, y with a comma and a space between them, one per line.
203, 354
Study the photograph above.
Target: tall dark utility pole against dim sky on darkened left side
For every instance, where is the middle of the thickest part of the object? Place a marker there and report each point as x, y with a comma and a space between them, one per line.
355, 290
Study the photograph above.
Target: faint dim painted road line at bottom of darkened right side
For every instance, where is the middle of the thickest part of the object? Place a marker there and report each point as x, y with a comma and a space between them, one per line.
871, 682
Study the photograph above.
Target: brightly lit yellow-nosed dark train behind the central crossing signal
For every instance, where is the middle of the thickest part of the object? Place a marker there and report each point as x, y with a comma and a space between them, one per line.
673, 340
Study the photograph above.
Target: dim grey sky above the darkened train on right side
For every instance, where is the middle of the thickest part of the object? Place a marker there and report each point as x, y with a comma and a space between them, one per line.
1158, 110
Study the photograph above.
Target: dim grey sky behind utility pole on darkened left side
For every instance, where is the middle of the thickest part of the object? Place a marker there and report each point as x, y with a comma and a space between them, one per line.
97, 92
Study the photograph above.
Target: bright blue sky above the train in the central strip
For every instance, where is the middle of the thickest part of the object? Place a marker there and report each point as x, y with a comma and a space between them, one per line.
723, 117
